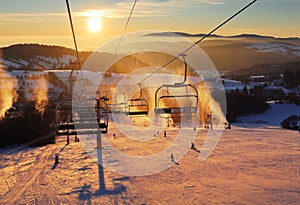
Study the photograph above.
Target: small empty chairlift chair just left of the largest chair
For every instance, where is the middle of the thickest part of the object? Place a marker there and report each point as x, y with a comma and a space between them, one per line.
137, 106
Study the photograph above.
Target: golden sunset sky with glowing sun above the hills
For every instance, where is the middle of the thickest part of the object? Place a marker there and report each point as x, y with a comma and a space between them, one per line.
47, 22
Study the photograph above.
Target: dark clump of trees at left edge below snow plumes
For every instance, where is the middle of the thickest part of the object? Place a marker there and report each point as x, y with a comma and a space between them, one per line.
28, 126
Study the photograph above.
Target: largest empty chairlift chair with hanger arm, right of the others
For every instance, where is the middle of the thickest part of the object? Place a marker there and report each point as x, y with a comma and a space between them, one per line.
167, 103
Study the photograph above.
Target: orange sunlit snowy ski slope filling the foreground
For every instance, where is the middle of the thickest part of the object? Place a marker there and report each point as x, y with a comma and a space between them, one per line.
249, 166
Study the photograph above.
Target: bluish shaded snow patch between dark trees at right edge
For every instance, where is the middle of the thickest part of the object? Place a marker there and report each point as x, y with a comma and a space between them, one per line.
272, 117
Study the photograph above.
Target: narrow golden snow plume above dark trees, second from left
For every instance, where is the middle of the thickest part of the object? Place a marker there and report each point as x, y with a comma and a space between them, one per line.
41, 94
